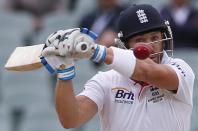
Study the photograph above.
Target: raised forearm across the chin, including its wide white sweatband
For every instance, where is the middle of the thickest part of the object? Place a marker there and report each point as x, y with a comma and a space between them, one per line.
143, 70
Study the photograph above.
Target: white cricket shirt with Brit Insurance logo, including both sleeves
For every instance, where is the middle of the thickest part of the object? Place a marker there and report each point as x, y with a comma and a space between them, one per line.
125, 105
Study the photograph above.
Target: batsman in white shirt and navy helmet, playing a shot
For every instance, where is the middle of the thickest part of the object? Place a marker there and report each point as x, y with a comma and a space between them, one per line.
151, 94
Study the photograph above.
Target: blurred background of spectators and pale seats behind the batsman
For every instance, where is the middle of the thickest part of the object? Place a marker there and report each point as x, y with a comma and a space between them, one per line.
26, 99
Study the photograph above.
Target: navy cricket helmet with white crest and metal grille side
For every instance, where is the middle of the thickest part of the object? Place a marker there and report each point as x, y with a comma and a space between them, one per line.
140, 19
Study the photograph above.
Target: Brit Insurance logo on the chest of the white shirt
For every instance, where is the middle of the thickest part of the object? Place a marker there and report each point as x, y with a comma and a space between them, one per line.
123, 95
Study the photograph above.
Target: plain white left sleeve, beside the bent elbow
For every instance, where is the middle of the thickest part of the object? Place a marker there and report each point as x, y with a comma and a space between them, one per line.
94, 89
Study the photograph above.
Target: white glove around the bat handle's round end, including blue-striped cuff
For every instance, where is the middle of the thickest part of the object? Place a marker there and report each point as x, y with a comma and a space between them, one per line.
83, 46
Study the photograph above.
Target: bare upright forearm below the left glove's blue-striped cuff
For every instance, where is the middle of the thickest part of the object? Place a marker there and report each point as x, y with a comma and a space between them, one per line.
66, 104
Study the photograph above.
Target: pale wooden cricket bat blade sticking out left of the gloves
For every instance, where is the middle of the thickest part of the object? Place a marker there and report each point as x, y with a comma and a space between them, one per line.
25, 58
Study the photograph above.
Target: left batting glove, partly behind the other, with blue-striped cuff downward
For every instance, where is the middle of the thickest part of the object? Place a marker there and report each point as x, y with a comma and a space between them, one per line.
51, 59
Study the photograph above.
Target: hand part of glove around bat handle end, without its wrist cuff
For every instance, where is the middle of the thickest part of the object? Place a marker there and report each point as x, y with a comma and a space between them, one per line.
77, 43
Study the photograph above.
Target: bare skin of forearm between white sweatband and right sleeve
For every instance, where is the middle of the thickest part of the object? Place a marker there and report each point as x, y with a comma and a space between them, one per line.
158, 75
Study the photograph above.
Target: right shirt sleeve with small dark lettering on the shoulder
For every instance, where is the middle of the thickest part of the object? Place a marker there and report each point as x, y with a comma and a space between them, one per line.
186, 80
